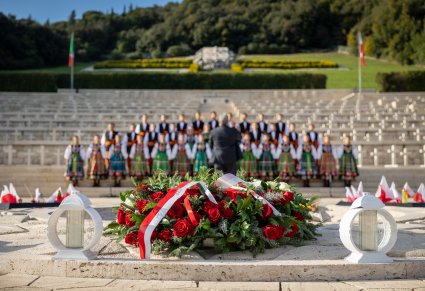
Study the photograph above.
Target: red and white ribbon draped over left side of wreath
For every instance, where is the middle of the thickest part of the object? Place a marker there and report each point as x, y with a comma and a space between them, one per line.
152, 220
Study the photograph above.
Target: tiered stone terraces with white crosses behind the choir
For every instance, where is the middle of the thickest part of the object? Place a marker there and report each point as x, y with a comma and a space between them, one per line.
387, 128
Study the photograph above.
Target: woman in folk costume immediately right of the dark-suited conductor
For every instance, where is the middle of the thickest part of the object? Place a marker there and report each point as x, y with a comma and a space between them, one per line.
248, 163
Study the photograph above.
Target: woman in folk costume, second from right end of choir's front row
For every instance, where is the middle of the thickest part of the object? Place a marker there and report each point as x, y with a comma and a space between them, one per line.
327, 154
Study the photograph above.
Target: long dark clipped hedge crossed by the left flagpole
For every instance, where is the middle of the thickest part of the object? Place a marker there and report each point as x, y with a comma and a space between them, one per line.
38, 82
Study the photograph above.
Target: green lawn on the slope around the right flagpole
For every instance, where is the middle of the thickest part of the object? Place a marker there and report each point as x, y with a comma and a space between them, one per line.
345, 77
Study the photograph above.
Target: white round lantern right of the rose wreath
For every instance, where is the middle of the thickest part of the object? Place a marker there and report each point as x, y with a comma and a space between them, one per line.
368, 231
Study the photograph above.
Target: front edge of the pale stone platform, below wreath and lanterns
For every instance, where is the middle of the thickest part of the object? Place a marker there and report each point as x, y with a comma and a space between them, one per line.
227, 271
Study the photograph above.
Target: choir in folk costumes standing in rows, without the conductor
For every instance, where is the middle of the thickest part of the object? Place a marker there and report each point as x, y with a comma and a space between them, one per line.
183, 148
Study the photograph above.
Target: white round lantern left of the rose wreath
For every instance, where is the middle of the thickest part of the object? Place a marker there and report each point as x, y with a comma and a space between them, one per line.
74, 207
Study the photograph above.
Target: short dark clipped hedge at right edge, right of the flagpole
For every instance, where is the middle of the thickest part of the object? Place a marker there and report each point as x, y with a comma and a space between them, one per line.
401, 81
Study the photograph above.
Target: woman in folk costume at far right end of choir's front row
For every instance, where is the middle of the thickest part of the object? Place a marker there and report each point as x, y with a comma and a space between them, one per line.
348, 161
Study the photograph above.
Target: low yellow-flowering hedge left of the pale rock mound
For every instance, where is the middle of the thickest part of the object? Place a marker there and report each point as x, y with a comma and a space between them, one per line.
144, 64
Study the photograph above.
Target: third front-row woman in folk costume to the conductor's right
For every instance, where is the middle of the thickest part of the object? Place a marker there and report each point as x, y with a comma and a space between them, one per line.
285, 155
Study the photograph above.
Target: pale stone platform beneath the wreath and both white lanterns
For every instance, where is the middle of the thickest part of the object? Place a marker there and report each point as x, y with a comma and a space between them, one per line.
24, 249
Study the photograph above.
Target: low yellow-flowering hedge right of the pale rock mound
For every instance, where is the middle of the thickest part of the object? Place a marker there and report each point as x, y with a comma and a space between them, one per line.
285, 64
